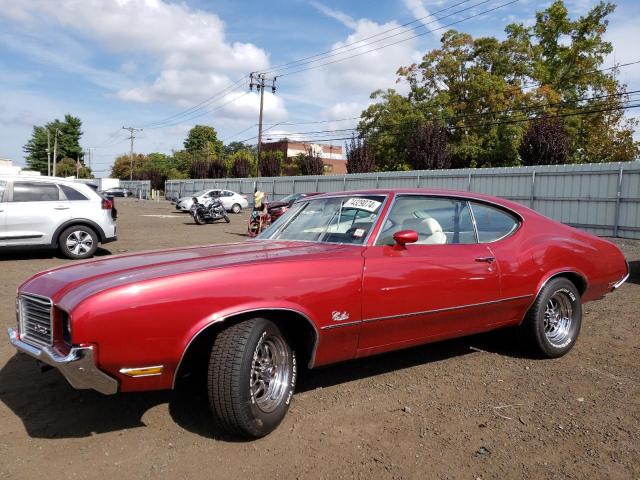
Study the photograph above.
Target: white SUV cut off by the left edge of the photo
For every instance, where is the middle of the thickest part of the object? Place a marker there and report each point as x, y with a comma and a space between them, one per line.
56, 213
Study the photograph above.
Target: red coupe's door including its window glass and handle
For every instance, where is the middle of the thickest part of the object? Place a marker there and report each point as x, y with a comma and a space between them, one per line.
442, 286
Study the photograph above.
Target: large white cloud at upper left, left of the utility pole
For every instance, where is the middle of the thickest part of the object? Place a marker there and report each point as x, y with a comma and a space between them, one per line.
188, 45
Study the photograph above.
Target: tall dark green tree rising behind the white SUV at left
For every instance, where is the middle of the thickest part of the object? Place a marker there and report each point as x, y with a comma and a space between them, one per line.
69, 133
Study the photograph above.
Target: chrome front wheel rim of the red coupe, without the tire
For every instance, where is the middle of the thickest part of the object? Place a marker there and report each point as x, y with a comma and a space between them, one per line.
270, 374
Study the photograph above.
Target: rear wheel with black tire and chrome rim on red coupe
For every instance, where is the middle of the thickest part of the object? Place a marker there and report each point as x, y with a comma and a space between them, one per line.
552, 325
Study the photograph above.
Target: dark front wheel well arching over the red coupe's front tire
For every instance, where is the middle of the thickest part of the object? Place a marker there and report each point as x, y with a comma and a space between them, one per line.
298, 329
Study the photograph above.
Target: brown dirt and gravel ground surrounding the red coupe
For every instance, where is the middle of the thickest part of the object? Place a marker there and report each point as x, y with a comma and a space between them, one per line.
470, 408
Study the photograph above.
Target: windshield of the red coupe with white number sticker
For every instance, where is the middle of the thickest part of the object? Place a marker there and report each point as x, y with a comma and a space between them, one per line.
347, 219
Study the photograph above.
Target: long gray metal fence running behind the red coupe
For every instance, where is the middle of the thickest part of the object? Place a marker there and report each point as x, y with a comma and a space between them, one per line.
601, 198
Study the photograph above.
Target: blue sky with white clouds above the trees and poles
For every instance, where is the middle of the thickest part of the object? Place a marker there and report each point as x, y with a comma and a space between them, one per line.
140, 62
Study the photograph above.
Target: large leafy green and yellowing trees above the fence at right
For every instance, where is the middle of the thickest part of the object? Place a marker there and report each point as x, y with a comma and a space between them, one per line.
485, 92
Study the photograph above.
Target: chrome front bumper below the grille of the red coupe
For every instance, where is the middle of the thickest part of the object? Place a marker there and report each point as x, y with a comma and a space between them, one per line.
78, 366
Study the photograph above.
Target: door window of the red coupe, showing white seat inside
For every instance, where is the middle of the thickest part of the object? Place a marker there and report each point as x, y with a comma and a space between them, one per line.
437, 221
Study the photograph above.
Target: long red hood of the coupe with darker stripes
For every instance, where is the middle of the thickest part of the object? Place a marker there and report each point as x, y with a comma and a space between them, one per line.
69, 285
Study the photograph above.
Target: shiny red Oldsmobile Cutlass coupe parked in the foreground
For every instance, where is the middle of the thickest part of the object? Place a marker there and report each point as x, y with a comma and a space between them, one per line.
339, 276
